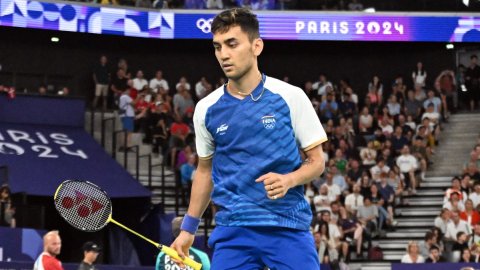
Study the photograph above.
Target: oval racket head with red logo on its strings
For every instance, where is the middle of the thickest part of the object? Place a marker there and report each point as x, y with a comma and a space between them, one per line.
83, 205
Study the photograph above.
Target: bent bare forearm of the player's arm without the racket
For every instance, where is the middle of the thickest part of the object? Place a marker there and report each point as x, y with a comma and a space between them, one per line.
312, 167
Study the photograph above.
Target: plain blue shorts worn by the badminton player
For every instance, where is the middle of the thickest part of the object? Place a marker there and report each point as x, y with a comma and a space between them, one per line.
253, 248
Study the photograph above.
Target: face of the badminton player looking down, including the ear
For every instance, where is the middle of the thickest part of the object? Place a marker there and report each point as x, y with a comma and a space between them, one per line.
236, 54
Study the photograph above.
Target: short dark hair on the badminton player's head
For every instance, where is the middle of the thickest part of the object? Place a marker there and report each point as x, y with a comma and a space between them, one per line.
242, 17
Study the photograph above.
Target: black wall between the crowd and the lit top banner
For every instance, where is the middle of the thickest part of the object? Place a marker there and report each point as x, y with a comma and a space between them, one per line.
29, 58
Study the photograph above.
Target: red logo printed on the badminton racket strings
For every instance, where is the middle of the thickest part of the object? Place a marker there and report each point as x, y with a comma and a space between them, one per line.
84, 205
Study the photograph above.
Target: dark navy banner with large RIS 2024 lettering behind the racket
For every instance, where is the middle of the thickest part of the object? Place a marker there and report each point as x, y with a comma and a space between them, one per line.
40, 155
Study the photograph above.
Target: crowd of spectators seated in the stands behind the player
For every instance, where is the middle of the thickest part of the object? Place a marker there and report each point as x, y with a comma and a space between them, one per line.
380, 143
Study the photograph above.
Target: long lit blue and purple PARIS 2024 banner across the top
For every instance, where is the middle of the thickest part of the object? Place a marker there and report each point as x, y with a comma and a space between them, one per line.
276, 25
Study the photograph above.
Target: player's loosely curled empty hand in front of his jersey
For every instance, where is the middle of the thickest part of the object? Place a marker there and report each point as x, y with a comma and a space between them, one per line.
276, 185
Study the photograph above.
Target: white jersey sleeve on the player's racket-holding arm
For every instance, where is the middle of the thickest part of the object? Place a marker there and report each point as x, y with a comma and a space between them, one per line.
204, 140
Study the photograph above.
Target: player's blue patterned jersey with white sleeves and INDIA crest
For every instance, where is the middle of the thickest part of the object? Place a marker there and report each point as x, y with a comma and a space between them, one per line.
247, 139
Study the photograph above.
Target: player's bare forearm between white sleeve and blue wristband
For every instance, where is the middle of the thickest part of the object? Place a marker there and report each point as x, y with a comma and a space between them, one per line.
201, 190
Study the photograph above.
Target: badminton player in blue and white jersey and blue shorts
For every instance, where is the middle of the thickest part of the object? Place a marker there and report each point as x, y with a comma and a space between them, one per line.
249, 134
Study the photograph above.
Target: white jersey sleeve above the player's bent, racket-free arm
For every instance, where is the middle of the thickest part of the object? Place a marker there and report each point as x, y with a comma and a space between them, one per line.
306, 124
